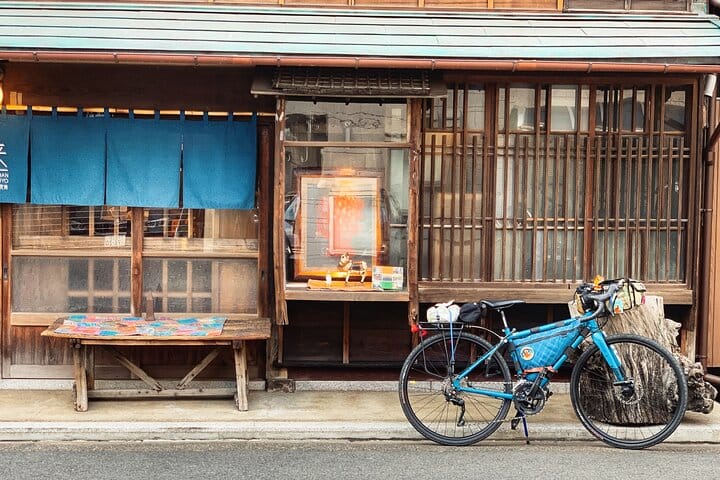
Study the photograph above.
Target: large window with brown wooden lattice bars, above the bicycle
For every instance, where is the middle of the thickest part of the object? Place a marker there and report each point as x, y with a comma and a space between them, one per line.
576, 180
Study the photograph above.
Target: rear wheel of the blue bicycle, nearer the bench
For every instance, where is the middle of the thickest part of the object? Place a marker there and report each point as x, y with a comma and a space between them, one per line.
423, 389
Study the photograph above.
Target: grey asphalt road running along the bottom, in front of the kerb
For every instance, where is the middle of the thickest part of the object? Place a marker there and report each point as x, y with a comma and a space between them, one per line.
352, 460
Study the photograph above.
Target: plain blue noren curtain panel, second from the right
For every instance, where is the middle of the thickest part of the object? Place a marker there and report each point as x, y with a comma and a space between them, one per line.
143, 163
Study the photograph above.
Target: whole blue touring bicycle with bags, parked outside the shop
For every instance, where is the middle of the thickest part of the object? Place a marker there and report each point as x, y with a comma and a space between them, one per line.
456, 387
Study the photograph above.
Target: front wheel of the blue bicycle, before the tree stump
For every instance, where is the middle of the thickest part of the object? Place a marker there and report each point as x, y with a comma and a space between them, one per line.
630, 418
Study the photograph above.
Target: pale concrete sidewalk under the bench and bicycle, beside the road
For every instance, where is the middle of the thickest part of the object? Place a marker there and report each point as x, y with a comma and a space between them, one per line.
33, 415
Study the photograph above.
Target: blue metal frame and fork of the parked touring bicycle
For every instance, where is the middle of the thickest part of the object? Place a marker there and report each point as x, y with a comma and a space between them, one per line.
510, 336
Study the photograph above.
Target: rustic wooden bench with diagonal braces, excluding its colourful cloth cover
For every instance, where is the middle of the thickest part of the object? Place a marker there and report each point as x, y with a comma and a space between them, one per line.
235, 333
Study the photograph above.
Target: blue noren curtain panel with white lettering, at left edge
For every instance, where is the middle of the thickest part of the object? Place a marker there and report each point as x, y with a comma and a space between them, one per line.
14, 136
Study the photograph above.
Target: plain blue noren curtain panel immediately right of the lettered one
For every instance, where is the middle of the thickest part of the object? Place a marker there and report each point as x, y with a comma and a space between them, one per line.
67, 160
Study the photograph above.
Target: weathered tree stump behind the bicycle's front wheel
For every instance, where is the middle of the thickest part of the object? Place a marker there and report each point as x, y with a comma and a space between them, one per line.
649, 321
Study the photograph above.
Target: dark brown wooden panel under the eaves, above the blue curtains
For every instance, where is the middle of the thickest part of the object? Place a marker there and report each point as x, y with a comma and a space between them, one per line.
135, 86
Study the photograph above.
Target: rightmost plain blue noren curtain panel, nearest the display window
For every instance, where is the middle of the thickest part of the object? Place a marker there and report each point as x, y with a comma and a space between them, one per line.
219, 164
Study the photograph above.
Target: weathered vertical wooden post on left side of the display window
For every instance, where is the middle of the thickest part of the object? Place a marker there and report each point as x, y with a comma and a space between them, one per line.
281, 317
